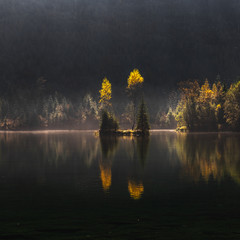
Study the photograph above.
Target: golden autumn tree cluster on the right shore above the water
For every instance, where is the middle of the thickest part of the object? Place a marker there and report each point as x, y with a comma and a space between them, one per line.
208, 108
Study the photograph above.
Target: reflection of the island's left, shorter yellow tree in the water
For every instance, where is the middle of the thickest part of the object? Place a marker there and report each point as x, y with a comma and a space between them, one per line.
109, 146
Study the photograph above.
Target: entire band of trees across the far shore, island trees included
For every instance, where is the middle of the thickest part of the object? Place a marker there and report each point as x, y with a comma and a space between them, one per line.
194, 107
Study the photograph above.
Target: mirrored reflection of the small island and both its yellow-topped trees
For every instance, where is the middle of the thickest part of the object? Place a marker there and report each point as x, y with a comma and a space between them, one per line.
136, 151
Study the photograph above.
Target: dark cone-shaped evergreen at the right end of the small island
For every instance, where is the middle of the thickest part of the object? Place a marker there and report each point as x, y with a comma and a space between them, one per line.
142, 119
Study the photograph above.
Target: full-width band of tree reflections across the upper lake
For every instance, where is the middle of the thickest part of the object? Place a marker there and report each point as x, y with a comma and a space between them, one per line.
87, 162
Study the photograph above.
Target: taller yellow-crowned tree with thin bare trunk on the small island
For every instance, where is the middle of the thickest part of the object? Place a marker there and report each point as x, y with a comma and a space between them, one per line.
135, 81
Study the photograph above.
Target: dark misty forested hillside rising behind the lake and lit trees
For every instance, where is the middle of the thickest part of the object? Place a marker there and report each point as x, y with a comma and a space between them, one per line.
59, 51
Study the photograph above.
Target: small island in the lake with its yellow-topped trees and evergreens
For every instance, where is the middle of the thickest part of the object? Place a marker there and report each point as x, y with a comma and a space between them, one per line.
109, 124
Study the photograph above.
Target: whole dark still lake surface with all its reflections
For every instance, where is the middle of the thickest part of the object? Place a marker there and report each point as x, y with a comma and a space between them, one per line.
74, 185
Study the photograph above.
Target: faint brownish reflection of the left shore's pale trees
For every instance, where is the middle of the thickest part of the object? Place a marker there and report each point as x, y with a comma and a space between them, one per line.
37, 154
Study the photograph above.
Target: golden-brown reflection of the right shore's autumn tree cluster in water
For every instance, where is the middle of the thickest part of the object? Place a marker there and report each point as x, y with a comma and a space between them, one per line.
204, 156
